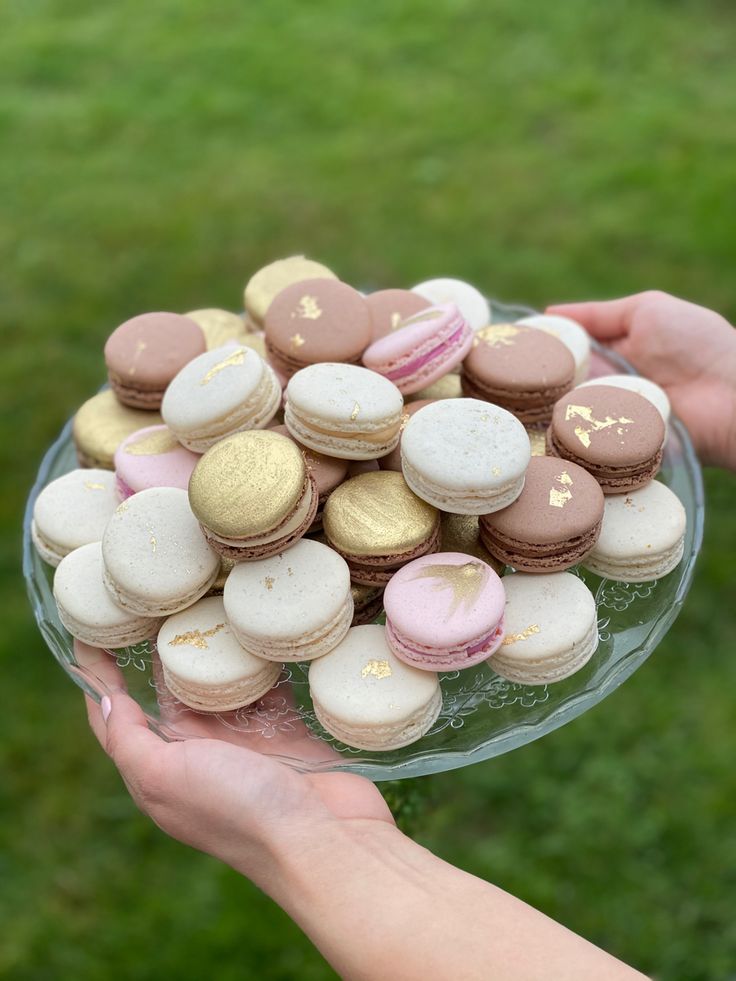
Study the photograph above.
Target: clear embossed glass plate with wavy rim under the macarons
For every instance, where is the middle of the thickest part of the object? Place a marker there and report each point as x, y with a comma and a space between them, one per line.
482, 715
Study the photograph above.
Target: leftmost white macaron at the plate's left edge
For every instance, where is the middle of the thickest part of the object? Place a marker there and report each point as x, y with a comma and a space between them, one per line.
72, 511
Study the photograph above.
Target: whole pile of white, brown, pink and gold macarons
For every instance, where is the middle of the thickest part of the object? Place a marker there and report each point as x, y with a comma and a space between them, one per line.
256, 490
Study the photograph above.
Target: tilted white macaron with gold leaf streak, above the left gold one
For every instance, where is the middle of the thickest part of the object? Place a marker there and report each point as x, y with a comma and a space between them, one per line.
222, 392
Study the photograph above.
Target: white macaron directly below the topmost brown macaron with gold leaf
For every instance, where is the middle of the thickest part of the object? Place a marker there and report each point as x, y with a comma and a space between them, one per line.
344, 411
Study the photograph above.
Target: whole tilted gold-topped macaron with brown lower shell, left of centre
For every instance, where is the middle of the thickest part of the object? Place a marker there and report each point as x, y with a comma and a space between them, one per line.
253, 495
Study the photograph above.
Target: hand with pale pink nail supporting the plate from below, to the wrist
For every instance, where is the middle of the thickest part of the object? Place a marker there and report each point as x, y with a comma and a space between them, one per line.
234, 803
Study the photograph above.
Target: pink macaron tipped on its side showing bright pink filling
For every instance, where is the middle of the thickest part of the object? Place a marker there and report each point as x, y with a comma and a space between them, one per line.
423, 349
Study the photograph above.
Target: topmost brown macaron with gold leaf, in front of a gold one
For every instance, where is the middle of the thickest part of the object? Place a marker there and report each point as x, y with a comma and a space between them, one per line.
316, 320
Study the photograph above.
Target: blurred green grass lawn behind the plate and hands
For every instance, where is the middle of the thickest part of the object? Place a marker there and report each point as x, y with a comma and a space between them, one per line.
156, 154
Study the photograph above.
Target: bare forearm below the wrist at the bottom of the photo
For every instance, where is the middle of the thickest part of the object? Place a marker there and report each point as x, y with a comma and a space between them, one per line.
378, 905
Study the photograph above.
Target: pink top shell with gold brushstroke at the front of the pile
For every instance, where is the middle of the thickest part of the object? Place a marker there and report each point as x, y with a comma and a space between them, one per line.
445, 600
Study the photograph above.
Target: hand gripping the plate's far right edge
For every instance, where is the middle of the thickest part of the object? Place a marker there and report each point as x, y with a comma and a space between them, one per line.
688, 350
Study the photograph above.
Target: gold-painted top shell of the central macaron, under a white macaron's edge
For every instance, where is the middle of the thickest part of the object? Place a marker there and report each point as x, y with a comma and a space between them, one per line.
376, 514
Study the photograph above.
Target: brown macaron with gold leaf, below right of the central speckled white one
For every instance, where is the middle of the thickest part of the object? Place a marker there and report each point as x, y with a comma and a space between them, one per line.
553, 524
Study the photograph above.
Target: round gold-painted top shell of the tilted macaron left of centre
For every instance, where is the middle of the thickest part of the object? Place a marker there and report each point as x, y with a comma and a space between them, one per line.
248, 484
